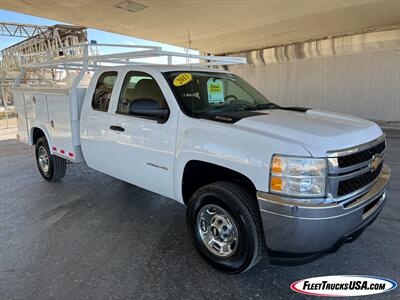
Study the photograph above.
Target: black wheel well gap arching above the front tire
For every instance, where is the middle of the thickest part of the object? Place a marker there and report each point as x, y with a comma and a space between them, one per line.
199, 173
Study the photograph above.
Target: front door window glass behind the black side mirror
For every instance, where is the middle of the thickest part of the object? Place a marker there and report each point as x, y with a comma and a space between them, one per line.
139, 86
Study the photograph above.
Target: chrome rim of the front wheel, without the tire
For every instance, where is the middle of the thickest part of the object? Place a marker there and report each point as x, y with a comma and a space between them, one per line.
217, 230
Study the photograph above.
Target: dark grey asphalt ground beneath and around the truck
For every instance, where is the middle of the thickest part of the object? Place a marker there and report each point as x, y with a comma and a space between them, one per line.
94, 237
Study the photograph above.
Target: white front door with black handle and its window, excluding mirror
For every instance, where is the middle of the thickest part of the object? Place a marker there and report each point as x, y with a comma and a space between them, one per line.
141, 150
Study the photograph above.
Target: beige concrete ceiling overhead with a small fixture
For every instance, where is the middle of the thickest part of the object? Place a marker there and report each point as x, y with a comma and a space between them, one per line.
218, 26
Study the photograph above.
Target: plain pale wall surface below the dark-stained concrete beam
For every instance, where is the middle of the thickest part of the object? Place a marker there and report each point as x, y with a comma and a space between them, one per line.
365, 85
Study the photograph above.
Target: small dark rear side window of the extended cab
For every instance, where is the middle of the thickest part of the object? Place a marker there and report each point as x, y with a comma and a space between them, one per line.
102, 94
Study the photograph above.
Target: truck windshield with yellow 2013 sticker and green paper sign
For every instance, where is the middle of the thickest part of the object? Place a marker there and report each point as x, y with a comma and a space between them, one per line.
202, 93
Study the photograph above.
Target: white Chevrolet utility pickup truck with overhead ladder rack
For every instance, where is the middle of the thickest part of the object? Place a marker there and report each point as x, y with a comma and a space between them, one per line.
257, 178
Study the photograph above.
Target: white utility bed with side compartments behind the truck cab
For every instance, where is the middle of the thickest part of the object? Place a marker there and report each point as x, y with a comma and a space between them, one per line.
56, 112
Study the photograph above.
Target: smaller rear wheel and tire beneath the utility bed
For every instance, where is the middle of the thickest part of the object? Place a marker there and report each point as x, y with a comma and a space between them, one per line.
53, 168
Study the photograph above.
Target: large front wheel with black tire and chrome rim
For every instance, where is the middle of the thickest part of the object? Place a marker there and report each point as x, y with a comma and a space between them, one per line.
228, 205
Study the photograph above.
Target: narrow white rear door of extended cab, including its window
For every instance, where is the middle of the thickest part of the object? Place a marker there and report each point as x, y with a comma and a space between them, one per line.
94, 121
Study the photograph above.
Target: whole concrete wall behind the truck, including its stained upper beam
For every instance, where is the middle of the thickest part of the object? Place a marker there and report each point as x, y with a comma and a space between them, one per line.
356, 74
